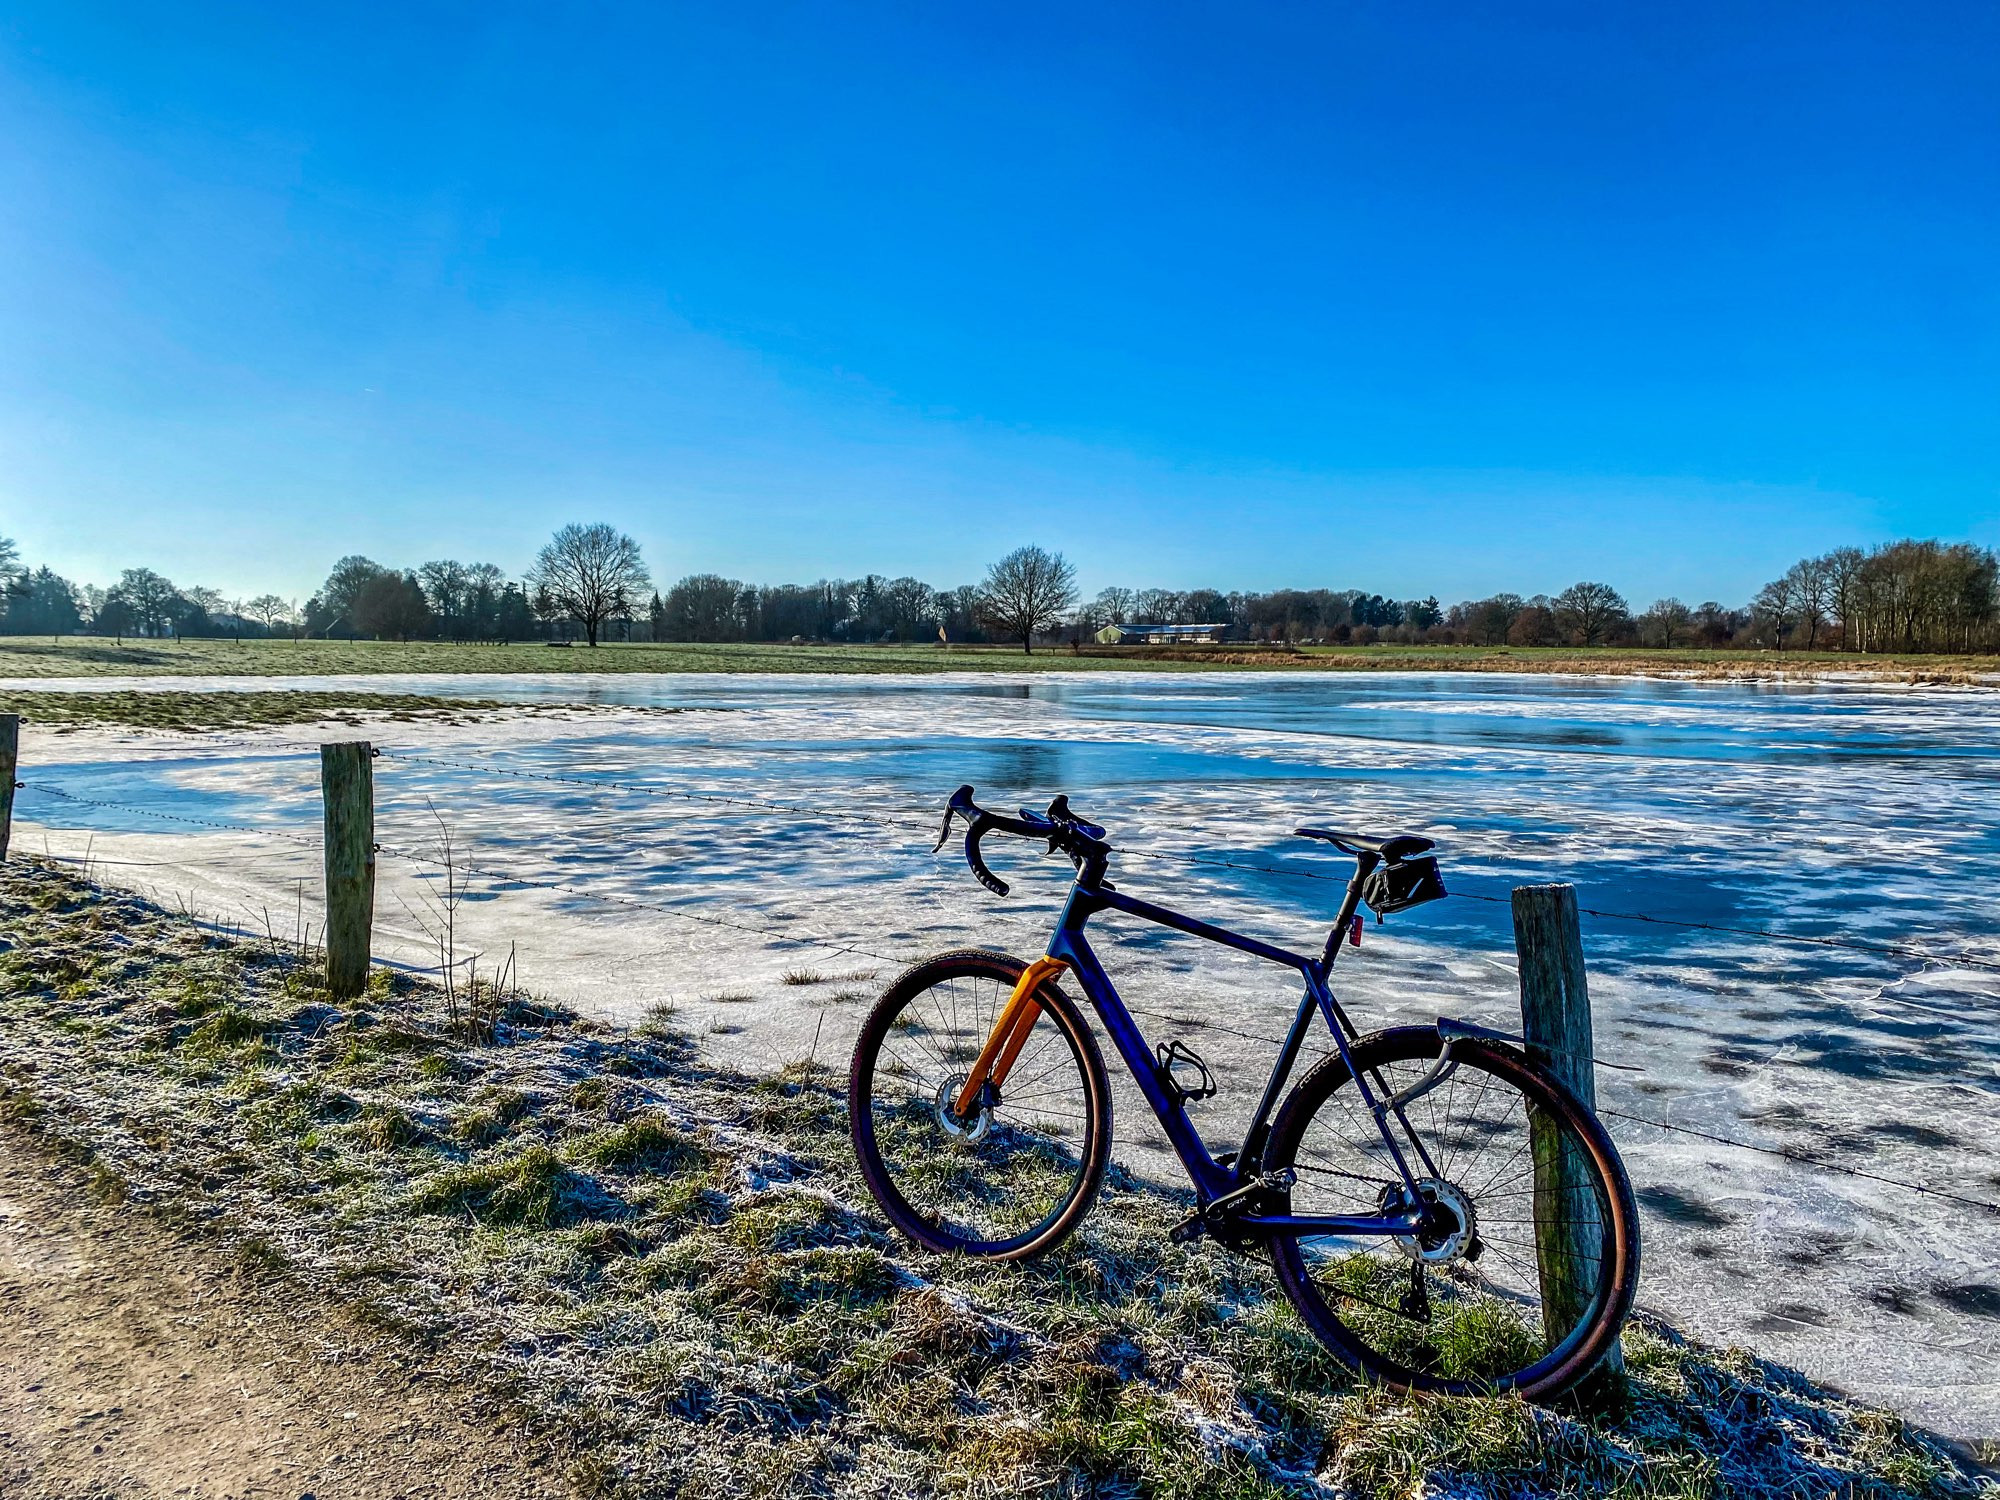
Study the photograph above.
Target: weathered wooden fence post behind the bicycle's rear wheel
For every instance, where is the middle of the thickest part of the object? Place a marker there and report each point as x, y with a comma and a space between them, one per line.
1555, 1013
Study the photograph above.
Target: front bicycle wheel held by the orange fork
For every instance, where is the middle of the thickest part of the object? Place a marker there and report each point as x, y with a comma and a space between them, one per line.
1021, 1173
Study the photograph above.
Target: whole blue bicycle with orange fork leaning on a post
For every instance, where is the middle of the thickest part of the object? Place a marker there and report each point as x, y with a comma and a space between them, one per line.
1441, 1211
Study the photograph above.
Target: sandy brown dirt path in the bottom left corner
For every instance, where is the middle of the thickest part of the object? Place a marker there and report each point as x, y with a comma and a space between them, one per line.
135, 1365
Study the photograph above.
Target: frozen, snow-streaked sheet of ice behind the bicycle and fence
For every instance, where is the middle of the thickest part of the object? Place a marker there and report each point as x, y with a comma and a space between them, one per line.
1855, 813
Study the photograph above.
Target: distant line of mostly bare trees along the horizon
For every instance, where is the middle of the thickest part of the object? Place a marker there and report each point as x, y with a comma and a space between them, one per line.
591, 583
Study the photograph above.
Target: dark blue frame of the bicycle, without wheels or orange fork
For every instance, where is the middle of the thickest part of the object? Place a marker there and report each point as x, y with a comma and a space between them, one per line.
1237, 1181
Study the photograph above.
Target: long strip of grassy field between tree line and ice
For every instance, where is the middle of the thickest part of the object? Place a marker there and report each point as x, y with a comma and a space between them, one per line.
97, 657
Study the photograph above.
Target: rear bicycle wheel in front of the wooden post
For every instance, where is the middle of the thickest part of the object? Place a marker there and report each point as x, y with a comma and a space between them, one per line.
1527, 1263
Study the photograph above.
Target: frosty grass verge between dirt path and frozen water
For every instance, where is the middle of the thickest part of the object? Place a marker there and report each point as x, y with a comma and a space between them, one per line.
675, 1271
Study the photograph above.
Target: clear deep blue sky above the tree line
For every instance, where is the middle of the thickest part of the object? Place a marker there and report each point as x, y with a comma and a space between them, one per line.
1413, 299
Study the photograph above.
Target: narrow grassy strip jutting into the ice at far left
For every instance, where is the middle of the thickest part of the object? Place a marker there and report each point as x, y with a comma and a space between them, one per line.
195, 713
